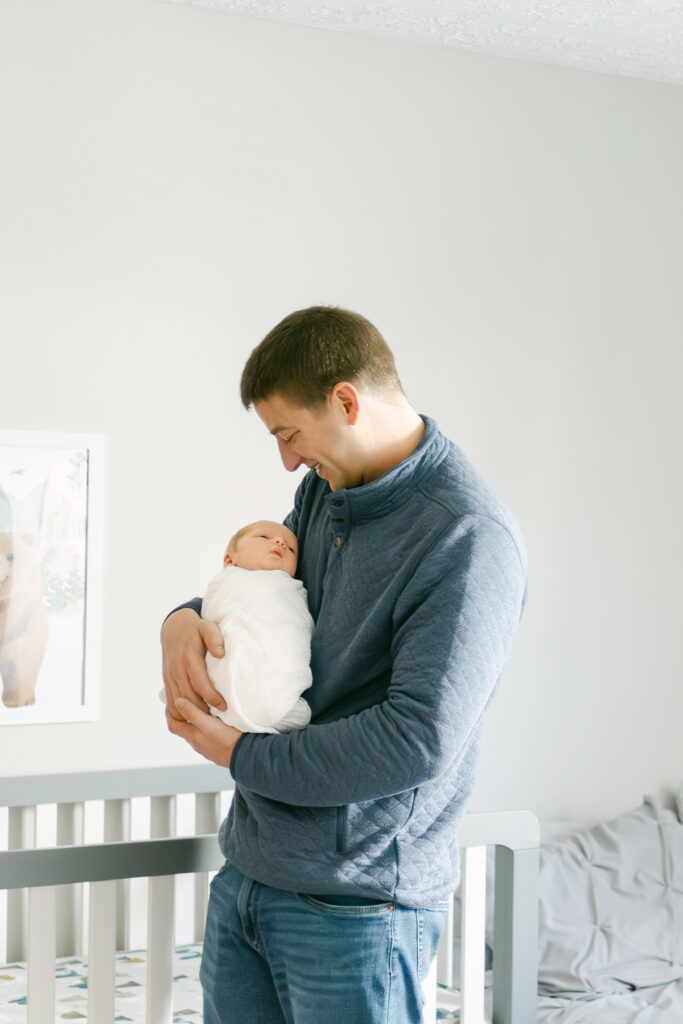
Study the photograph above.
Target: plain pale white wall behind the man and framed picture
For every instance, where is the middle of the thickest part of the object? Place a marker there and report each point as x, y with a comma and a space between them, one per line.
176, 181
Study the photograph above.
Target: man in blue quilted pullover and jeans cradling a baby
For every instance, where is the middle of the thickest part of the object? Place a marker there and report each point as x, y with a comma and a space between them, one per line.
341, 841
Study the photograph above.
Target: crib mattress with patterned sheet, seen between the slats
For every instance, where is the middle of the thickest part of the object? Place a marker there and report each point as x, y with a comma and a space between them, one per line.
71, 999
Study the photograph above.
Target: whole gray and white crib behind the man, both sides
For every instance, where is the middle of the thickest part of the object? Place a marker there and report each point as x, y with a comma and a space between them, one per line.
45, 891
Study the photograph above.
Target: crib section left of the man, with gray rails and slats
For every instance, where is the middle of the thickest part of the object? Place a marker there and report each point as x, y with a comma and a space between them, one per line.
46, 887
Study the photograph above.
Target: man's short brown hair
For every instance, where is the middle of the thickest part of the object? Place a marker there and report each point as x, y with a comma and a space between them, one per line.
312, 351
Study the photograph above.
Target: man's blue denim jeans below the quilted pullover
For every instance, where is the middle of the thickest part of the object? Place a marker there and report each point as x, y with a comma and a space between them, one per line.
272, 957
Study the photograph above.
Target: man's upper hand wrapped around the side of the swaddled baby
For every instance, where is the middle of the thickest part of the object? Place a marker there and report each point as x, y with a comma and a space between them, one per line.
186, 638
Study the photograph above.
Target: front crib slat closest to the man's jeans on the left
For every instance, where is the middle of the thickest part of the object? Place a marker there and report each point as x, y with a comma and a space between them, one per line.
161, 911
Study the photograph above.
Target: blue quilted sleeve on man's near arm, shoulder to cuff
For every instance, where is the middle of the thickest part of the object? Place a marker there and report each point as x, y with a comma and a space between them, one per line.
453, 630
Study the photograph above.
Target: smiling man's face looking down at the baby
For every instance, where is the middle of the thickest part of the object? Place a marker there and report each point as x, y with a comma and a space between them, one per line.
317, 439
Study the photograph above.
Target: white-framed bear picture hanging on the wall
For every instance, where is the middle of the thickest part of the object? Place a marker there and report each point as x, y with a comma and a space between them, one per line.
51, 576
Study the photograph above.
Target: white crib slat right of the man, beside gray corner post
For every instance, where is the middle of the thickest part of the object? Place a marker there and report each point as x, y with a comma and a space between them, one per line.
474, 889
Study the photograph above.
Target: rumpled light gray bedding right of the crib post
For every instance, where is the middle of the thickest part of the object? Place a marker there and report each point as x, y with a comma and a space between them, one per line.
612, 922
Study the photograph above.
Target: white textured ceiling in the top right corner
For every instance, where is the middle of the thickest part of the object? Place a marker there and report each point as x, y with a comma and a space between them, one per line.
642, 38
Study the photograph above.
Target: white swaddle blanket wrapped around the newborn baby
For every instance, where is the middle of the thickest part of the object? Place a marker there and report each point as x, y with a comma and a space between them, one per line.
264, 616
